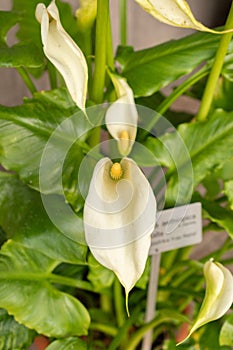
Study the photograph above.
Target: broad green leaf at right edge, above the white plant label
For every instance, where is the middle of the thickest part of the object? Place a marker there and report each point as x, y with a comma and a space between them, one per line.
209, 144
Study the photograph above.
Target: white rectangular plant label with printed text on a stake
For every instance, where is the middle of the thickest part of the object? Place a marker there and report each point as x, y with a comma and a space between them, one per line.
177, 227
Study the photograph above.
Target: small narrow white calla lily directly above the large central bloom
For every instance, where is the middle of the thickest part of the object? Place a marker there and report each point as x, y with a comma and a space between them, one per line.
122, 116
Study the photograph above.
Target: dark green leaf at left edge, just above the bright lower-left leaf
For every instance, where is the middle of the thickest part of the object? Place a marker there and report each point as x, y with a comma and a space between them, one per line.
22, 214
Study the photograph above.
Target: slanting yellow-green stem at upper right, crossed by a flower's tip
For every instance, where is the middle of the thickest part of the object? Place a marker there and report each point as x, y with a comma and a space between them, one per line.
216, 70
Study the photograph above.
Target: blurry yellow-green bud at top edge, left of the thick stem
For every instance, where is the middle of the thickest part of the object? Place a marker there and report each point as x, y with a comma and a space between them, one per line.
86, 14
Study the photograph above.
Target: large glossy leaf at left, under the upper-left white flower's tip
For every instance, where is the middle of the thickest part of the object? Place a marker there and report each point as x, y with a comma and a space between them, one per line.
25, 131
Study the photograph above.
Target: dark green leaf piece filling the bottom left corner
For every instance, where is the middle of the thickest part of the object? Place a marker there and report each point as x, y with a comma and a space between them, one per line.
12, 334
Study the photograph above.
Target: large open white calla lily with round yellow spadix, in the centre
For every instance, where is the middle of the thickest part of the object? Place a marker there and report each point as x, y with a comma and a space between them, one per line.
119, 217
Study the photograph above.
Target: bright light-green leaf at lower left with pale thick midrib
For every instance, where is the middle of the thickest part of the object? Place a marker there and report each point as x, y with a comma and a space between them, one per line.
26, 293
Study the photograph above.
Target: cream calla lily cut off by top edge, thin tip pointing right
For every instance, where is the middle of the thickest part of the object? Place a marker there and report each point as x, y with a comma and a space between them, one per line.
174, 12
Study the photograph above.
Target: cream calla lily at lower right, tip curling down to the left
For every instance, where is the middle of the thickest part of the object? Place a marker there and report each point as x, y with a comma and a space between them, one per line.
218, 297
